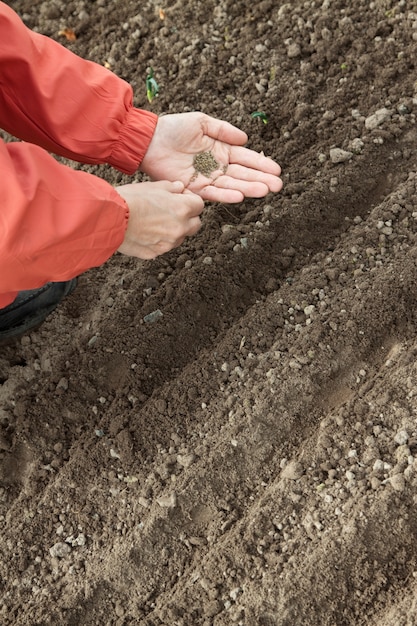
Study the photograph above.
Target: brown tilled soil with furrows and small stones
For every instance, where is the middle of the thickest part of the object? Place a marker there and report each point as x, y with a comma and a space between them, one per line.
249, 456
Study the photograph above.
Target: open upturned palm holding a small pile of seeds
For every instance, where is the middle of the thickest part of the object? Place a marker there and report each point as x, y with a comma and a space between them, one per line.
239, 172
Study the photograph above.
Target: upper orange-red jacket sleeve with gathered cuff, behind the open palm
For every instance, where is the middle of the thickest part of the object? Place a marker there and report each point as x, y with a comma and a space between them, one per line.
69, 106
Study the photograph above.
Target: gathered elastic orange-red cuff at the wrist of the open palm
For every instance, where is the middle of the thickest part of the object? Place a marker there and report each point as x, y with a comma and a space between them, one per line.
134, 139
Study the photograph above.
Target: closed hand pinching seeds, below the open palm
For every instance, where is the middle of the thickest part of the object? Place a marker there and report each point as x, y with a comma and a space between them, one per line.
161, 215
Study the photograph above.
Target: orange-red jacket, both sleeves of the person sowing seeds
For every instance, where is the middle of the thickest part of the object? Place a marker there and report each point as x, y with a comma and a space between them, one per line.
56, 222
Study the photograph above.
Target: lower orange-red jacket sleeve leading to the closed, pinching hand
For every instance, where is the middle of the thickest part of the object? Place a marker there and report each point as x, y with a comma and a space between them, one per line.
54, 222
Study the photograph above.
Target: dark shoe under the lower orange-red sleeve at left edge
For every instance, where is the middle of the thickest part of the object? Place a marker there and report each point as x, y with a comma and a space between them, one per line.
30, 308
